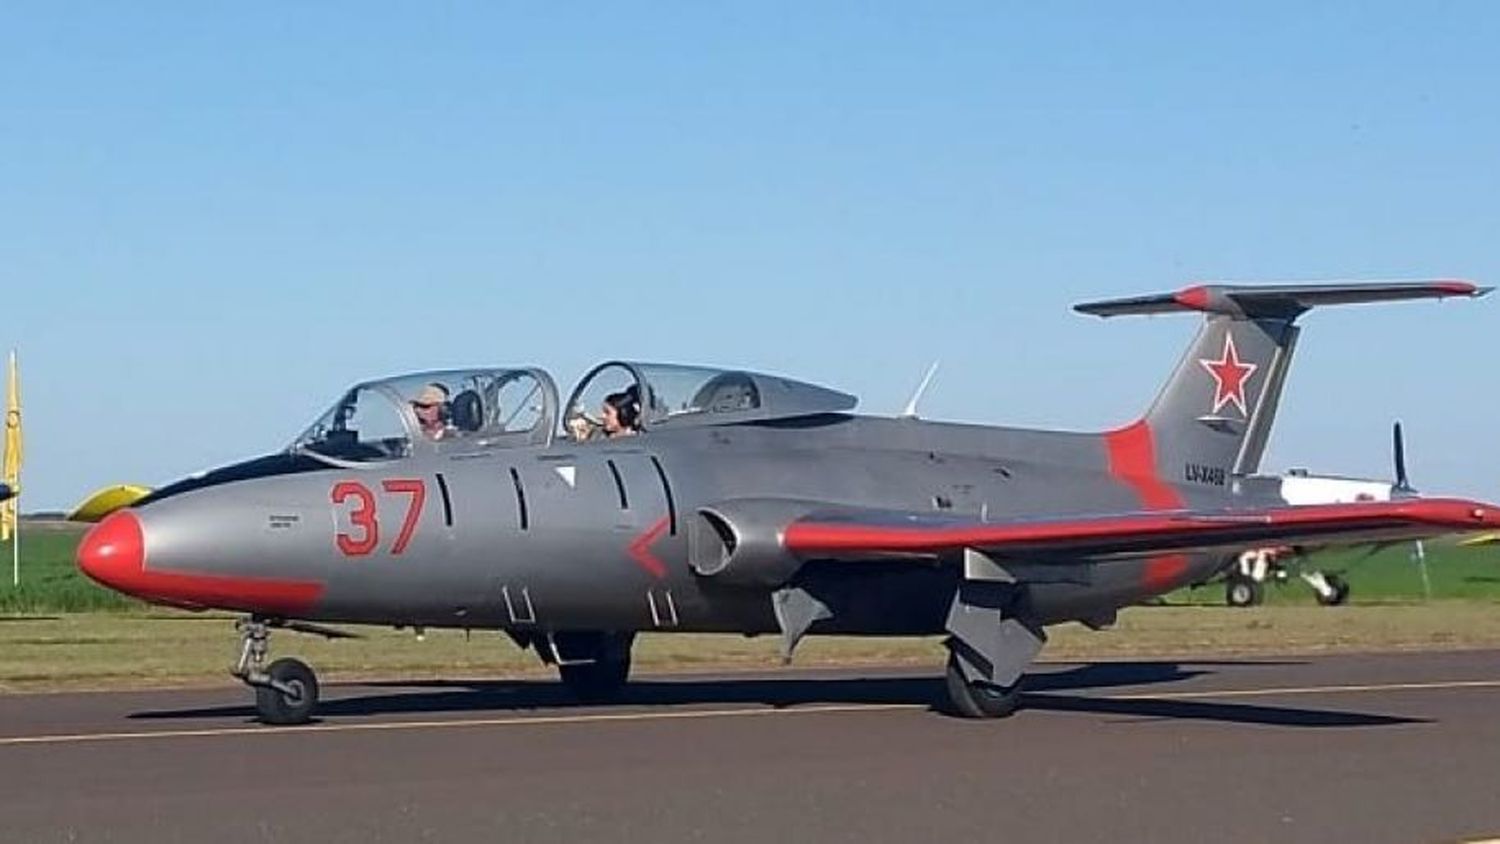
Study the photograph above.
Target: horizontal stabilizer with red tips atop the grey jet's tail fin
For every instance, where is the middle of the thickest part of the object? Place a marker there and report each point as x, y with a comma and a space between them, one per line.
1277, 301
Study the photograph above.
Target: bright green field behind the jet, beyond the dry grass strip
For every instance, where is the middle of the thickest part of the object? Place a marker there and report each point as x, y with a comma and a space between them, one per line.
52, 584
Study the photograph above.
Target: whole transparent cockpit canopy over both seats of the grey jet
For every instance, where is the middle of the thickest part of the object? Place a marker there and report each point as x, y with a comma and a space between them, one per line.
485, 409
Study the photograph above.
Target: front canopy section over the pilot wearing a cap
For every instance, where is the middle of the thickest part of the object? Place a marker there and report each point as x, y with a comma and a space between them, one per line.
394, 418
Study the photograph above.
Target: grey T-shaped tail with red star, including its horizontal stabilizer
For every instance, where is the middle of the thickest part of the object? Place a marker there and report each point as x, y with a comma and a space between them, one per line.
1214, 416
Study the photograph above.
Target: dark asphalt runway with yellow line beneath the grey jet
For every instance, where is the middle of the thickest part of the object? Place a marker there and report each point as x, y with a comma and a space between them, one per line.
1339, 749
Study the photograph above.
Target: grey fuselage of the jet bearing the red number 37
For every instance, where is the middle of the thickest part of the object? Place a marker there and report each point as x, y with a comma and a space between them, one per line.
596, 536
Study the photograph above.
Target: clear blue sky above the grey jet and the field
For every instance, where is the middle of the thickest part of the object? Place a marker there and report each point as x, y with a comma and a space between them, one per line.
212, 220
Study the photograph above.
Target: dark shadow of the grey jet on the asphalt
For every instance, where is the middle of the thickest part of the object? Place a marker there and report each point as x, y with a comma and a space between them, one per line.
1046, 692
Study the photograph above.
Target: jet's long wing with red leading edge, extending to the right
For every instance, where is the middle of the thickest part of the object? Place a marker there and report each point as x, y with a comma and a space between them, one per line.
854, 536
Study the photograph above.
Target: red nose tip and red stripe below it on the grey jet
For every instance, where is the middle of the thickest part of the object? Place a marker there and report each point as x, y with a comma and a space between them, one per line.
115, 555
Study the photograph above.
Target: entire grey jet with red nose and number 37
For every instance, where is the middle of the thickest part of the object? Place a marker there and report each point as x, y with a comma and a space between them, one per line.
734, 501
